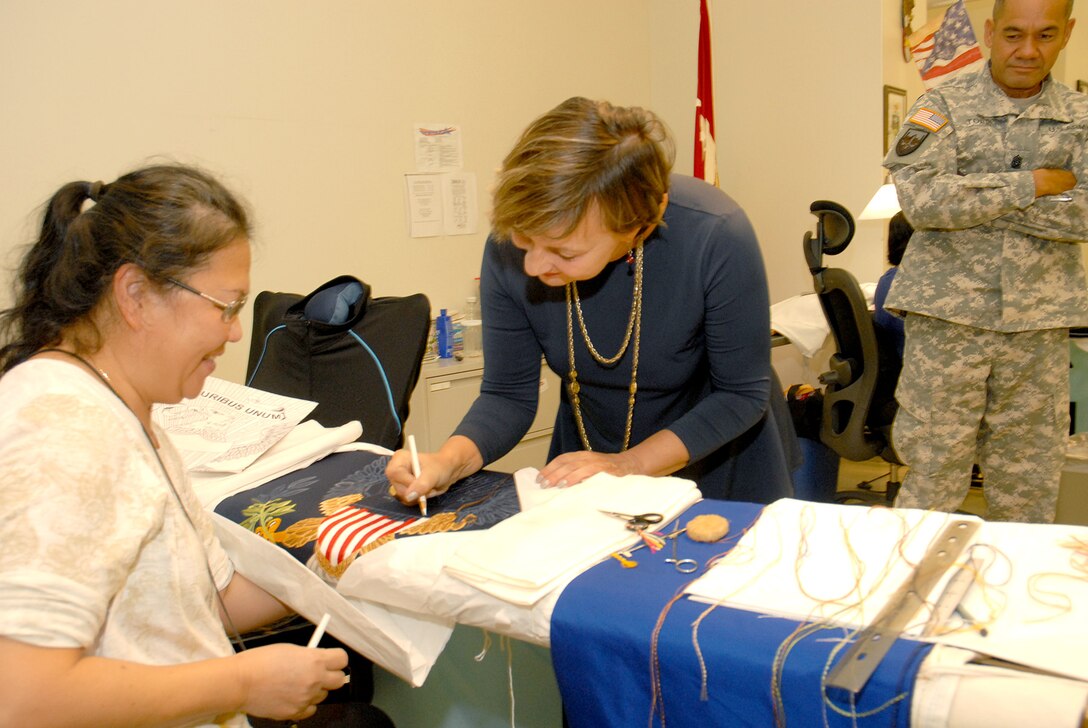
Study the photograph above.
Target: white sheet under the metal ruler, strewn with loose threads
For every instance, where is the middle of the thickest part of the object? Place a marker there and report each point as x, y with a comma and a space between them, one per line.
842, 564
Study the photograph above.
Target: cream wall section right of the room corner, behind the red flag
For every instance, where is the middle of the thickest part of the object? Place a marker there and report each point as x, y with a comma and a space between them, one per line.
799, 112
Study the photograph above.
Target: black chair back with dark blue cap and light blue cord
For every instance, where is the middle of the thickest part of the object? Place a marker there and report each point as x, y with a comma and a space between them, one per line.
358, 357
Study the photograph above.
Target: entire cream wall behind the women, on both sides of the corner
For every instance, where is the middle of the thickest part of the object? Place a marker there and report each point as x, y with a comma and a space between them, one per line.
306, 109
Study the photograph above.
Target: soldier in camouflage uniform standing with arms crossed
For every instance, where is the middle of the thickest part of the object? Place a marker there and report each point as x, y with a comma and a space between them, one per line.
991, 169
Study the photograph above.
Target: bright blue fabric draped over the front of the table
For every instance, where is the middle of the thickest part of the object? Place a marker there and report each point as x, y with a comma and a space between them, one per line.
602, 636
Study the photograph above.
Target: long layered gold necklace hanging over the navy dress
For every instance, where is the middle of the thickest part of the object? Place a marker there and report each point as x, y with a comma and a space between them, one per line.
634, 335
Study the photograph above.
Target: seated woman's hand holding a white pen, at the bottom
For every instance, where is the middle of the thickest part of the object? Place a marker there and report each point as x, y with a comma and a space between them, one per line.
287, 682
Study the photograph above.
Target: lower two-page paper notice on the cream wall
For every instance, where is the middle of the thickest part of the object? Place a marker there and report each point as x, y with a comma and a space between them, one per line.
442, 204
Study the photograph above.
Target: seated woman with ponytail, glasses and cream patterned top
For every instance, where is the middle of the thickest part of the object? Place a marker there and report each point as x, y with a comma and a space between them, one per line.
116, 597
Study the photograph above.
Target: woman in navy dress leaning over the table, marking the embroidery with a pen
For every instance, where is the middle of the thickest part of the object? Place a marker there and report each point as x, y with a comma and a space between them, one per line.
646, 293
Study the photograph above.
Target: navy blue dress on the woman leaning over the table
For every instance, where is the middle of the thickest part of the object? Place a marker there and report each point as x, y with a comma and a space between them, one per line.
704, 365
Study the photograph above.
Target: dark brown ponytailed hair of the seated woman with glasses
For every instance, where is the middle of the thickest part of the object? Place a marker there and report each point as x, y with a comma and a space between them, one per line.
167, 219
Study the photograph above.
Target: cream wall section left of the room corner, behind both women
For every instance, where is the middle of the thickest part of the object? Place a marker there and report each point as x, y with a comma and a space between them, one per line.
305, 108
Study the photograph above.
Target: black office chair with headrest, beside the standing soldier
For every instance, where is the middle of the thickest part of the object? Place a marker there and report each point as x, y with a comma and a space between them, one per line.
860, 389
